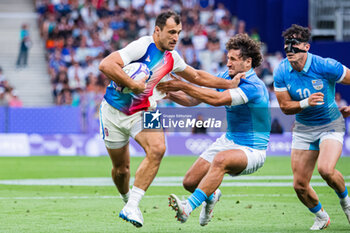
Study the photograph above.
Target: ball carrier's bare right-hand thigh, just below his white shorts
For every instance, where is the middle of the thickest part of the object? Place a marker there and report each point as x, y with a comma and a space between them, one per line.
151, 140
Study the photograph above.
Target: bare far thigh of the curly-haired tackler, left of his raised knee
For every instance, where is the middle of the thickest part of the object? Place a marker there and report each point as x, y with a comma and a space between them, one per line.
198, 170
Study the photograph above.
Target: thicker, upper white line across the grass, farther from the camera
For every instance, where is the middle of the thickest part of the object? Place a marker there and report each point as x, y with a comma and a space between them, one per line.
163, 181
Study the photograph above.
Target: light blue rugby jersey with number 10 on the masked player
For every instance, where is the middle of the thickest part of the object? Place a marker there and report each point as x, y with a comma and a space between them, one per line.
318, 75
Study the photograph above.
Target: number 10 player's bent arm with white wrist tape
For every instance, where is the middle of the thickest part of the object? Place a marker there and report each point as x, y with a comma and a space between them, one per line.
290, 107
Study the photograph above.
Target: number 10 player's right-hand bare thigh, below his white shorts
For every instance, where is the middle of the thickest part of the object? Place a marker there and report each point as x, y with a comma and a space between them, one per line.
330, 151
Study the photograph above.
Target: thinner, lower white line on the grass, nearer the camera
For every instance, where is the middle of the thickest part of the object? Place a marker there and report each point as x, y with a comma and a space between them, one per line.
148, 197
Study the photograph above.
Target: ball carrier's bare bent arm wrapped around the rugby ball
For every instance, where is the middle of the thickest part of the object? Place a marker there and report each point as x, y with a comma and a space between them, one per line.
112, 65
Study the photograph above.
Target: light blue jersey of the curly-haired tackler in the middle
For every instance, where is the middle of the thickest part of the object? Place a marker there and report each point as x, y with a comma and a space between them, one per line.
249, 124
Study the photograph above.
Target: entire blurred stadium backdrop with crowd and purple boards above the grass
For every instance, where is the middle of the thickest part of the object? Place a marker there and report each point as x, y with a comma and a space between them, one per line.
70, 38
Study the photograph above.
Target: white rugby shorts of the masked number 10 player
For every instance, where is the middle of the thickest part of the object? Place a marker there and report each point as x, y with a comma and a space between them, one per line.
310, 137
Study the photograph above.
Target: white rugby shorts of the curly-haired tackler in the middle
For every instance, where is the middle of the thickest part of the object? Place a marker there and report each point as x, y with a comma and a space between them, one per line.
256, 158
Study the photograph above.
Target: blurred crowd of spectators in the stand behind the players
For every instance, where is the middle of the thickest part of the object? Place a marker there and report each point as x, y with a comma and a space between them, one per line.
78, 34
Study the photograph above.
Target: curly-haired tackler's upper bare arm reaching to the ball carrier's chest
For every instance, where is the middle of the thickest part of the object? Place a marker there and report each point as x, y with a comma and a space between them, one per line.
205, 95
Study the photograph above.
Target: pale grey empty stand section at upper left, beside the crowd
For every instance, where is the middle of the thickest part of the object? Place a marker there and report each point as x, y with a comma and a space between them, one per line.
31, 83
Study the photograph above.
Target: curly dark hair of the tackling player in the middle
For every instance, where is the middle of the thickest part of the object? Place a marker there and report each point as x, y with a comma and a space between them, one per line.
249, 48
